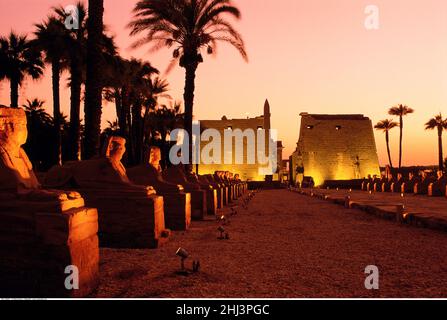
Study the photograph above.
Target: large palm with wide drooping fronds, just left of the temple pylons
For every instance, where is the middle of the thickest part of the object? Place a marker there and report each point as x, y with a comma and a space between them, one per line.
187, 26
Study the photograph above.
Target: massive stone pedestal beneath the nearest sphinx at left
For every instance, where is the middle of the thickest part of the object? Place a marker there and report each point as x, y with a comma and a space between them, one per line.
38, 241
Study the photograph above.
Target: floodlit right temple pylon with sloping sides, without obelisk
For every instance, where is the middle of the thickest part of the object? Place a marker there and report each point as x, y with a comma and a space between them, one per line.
334, 147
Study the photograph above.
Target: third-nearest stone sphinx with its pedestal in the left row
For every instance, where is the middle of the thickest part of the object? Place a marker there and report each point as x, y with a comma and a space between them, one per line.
177, 203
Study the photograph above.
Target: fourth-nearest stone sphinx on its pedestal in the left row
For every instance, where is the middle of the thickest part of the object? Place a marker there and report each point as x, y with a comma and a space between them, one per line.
176, 174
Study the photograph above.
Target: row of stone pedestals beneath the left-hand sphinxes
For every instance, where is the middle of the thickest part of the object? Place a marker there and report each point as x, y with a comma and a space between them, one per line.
37, 247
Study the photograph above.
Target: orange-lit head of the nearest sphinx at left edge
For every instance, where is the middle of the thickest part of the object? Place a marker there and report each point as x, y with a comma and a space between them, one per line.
13, 131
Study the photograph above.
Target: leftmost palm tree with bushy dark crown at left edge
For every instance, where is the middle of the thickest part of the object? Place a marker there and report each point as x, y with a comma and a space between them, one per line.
18, 58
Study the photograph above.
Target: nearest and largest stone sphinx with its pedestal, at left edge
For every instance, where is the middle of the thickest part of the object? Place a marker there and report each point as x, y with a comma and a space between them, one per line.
41, 231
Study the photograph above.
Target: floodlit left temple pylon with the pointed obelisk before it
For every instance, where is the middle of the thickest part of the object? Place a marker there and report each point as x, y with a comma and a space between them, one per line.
248, 171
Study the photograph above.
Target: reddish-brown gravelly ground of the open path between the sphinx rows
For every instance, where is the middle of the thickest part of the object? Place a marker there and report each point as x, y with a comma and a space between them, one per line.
285, 246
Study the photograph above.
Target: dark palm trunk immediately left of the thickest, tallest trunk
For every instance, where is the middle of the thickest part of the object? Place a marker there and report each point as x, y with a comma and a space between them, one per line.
75, 109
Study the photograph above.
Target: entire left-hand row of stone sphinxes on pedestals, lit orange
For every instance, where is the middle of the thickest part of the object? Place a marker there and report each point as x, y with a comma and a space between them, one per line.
62, 222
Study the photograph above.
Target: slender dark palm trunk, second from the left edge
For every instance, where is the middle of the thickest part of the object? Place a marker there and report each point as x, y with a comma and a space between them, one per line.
56, 73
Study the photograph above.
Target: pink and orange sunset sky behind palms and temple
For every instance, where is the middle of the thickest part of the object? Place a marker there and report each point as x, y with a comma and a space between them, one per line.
311, 56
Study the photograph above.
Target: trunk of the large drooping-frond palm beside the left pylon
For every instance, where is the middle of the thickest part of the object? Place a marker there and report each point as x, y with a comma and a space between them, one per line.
188, 97
